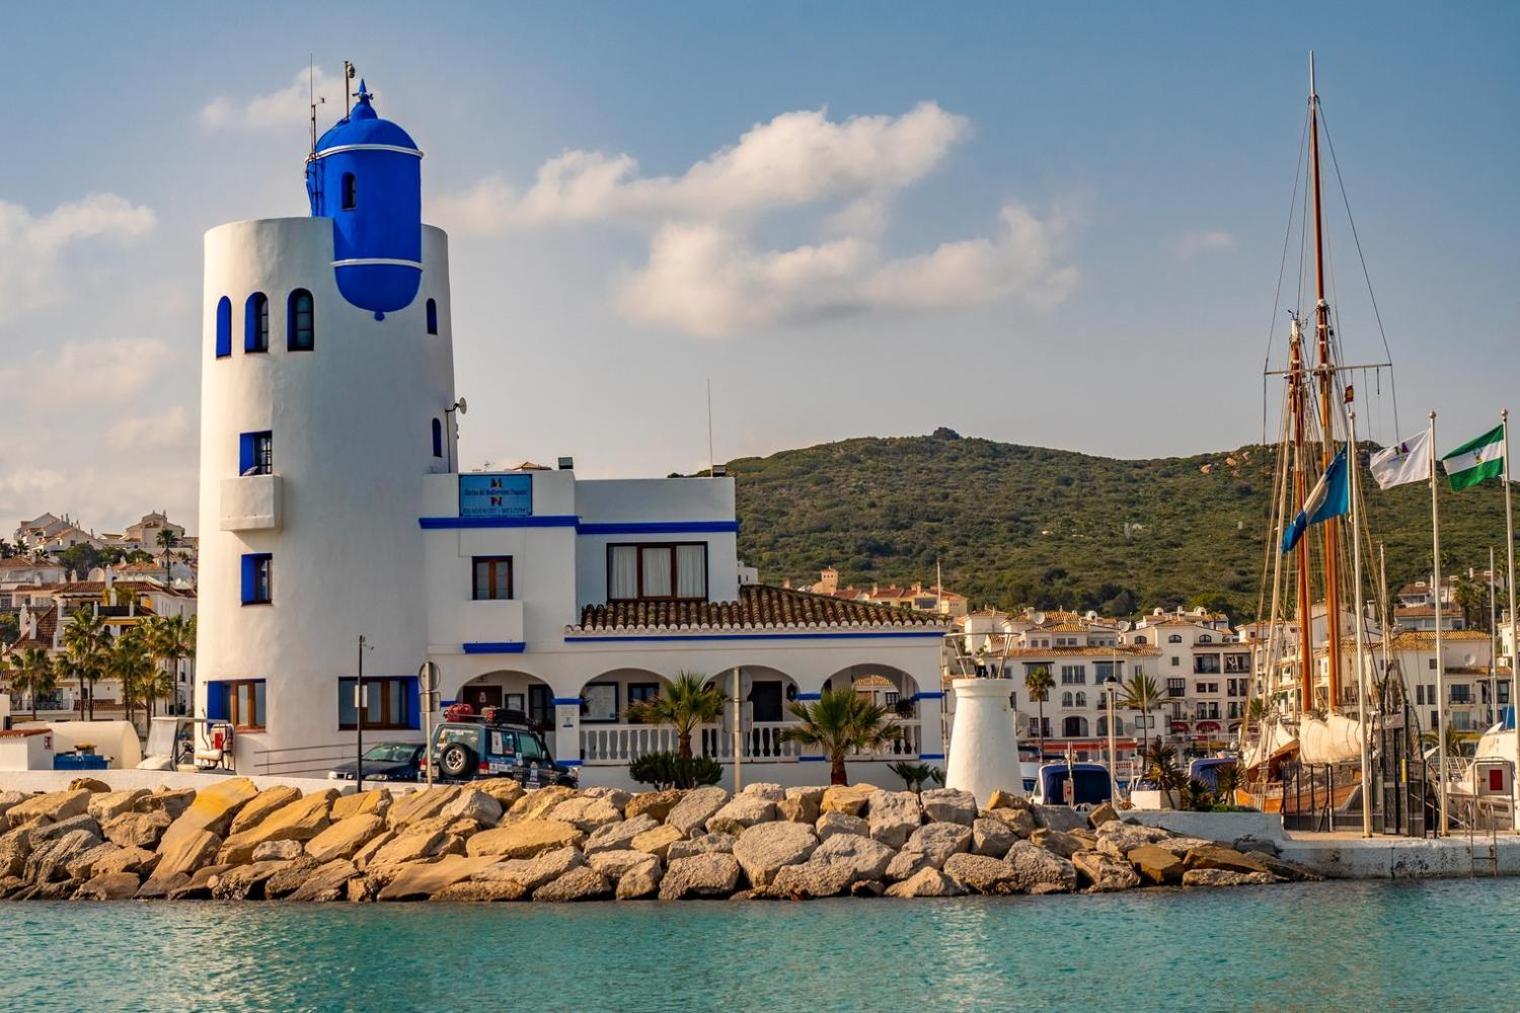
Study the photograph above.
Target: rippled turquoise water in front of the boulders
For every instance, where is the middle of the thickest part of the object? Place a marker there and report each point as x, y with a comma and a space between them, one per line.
1370, 945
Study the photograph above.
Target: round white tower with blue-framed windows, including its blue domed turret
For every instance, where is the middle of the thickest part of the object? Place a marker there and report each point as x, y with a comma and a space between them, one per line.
328, 378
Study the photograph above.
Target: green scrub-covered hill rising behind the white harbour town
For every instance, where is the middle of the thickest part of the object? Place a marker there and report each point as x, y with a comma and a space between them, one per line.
1031, 527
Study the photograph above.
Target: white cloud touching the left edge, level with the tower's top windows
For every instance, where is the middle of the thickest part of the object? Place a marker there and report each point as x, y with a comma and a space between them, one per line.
34, 249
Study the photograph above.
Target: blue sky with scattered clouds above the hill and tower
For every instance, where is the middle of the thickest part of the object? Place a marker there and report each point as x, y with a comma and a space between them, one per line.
1053, 227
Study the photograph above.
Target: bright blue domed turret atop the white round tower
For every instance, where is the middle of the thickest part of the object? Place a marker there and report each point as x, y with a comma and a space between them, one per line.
367, 177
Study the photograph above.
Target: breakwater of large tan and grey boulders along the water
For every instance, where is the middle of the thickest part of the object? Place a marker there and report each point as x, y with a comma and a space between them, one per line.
493, 842
